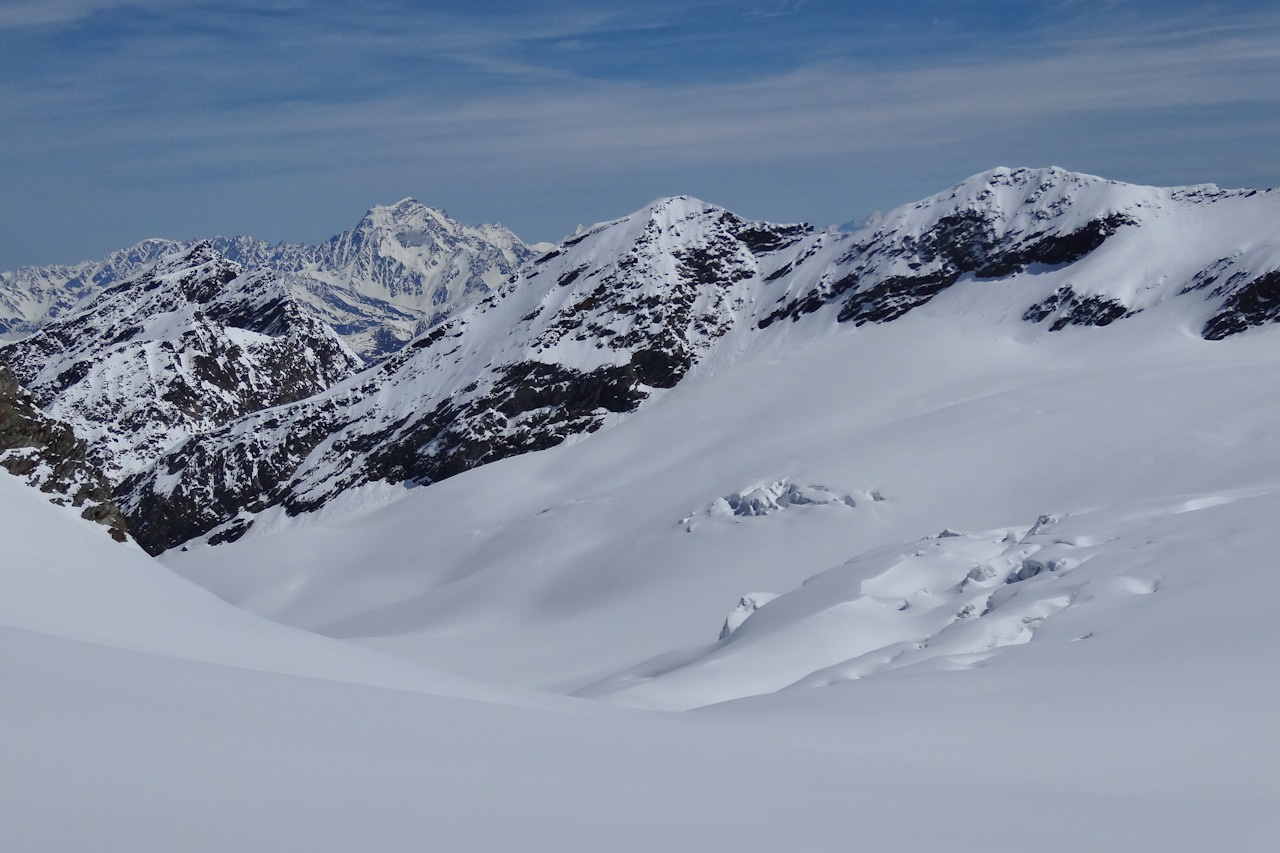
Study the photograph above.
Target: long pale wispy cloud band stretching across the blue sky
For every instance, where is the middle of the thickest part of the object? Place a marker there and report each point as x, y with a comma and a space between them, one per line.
829, 110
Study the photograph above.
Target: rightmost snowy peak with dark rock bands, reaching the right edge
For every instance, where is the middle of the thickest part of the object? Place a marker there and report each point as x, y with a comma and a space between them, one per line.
1032, 226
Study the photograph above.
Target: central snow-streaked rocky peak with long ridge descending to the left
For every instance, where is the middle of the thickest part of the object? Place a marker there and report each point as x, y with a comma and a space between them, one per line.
587, 332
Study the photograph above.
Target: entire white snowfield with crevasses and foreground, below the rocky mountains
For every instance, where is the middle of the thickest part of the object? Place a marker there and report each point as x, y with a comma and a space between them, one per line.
1026, 591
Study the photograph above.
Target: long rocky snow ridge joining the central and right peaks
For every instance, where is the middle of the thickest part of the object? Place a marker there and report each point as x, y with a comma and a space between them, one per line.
596, 327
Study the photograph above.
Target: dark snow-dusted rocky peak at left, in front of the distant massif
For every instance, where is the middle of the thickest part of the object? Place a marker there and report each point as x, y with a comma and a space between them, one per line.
189, 345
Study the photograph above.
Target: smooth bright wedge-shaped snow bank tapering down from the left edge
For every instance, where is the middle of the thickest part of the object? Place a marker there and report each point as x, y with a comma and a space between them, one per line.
65, 578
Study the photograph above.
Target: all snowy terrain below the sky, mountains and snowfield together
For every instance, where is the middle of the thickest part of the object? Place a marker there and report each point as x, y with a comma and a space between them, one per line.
691, 532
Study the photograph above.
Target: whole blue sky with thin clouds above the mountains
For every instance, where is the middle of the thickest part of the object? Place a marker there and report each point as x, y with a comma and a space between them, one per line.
287, 120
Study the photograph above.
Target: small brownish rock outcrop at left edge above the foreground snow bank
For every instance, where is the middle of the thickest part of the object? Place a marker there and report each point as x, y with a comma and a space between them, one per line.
48, 455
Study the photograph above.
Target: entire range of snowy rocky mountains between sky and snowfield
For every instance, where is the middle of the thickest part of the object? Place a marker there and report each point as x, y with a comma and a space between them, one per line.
221, 380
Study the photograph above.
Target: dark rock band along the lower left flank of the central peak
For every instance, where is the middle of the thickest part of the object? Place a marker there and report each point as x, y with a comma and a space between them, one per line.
220, 477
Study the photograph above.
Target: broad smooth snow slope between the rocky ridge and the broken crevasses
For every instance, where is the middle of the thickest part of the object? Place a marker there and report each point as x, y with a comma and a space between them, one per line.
953, 425
